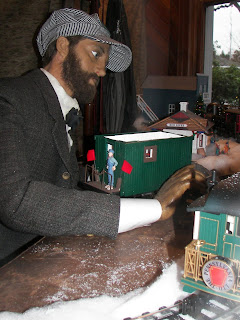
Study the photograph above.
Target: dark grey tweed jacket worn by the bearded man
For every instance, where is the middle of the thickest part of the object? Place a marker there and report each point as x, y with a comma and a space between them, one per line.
38, 185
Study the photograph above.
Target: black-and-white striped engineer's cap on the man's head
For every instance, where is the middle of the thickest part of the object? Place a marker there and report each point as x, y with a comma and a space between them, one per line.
71, 22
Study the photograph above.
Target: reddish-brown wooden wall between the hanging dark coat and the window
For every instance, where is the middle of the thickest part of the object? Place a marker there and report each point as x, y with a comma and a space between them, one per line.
173, 33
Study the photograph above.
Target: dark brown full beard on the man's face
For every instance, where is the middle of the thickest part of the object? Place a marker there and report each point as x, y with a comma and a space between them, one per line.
78, 80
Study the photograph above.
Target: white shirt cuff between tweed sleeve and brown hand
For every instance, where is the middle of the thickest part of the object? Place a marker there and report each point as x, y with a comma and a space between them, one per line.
135, 213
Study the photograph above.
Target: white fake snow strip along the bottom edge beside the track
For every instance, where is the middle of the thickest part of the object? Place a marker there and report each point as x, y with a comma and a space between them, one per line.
163, 292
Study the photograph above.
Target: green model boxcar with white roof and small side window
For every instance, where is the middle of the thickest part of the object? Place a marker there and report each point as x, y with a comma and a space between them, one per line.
152, 157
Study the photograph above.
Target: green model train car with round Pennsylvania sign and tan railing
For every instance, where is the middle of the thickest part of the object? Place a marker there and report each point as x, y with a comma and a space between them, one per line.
212, 259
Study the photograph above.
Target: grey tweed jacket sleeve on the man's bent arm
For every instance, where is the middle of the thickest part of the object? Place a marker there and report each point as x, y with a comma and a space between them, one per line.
37, 205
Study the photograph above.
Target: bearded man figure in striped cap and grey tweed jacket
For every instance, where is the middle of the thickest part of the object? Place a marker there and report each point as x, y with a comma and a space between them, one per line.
39, 170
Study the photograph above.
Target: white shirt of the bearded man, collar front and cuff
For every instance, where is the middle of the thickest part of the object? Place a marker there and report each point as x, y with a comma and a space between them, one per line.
134, 213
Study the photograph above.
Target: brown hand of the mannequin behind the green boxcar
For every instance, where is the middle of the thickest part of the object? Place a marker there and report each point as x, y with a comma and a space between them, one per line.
191, 176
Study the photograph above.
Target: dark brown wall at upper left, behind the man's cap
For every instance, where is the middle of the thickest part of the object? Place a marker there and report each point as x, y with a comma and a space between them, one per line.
19, 22
